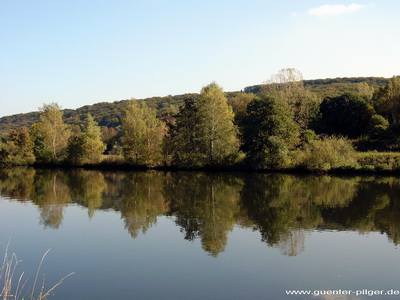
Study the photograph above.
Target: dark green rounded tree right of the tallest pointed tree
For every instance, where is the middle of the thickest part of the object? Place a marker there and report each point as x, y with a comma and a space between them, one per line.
269, 131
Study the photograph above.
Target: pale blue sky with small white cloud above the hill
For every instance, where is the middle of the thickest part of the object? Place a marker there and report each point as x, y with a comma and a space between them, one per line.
80, 52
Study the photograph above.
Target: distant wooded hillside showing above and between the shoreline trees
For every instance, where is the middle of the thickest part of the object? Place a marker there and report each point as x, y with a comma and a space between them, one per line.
109, 113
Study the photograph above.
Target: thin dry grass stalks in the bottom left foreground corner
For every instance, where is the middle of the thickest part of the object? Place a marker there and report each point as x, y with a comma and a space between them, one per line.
10, 291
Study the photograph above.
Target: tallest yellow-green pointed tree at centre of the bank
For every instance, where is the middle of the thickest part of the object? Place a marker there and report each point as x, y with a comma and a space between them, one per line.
218, 135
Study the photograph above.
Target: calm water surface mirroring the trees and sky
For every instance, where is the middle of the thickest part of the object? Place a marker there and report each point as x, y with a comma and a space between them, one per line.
195, 235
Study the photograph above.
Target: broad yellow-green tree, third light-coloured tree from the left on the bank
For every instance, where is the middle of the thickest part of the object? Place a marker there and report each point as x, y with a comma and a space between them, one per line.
143, 134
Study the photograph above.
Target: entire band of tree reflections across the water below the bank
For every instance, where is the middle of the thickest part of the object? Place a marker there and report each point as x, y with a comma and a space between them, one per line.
206, 206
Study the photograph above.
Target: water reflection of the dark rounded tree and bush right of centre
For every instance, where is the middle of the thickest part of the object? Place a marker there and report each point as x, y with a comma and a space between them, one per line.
282, 207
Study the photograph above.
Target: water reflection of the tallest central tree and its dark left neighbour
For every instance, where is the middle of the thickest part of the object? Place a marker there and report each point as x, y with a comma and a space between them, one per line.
205, 206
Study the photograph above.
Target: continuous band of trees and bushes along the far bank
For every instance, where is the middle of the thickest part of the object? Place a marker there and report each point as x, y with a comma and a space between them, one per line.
282, 126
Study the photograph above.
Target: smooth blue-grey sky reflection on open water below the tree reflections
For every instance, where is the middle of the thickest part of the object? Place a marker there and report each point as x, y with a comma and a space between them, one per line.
161, 264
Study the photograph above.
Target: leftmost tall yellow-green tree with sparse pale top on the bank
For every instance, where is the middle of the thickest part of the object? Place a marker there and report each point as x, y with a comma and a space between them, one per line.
50, 134
